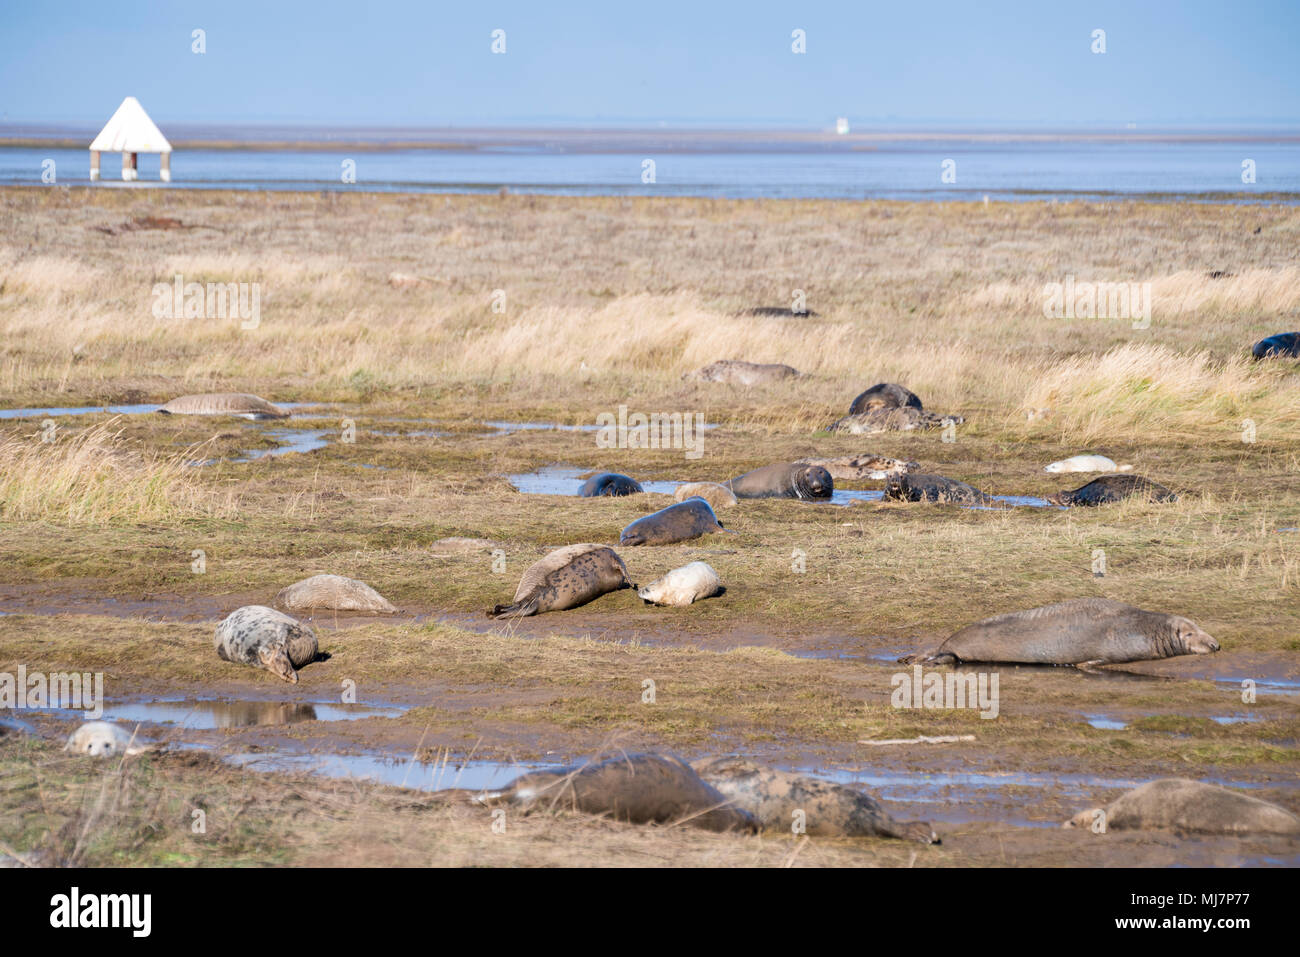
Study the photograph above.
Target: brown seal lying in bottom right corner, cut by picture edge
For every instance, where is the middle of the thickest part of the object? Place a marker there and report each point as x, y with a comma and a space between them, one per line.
1186, 806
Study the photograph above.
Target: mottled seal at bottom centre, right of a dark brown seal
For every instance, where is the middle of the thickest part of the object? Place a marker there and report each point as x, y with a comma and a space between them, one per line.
831, 811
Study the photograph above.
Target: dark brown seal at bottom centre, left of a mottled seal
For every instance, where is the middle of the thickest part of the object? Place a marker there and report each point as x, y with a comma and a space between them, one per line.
636, 789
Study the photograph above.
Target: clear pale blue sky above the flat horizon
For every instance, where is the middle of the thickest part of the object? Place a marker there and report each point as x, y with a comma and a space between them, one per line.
424, 63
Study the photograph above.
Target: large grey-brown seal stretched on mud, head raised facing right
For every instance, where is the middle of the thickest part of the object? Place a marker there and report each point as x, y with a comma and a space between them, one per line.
1082, 631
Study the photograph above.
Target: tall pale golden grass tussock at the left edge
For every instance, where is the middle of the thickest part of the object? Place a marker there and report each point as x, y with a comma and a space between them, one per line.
93, 478
